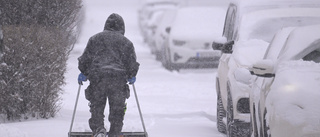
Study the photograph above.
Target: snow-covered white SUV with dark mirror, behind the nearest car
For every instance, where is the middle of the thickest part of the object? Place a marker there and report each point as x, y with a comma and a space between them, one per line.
249, 28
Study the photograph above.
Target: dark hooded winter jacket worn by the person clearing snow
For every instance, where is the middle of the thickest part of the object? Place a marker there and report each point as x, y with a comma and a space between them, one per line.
109, 53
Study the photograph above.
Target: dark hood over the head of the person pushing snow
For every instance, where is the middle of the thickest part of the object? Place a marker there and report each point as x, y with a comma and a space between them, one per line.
115, 23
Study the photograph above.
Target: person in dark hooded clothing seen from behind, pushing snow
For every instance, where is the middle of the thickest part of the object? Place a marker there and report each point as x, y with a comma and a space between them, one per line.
109, 63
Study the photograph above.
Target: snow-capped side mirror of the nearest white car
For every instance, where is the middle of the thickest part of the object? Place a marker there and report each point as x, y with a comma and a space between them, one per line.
263, 68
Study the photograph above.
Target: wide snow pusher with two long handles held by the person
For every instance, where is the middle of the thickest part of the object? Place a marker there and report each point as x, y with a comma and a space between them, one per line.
123, 134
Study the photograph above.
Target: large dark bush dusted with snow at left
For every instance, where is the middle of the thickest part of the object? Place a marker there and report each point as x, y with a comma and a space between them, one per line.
38, 36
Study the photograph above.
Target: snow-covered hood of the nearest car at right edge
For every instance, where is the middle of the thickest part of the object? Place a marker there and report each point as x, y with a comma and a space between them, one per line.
295, 93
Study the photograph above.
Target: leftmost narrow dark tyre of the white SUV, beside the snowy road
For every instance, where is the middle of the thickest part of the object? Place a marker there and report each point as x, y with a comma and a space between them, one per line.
221, 113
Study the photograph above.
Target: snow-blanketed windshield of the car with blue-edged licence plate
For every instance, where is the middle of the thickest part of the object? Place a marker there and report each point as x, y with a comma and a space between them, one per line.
189, 18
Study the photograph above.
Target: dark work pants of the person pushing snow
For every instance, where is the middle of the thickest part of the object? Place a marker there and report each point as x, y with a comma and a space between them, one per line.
116, 91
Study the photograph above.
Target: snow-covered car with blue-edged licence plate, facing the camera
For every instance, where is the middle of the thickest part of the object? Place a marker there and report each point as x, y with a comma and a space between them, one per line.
190, 36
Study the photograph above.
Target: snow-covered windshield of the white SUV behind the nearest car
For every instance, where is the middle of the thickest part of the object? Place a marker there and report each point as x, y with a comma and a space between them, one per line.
264, 24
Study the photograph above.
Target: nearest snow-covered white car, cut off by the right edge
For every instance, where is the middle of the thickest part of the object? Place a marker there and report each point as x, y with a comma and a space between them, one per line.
286, 91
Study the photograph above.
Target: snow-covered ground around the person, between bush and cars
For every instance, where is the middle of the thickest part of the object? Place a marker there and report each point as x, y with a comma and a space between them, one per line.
174, 104
